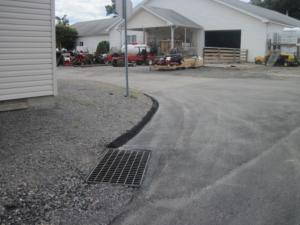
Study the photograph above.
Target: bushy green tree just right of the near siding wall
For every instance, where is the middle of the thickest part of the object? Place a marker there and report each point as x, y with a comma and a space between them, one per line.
66, 36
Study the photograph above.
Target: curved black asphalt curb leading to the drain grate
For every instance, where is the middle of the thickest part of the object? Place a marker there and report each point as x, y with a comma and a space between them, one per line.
124, 138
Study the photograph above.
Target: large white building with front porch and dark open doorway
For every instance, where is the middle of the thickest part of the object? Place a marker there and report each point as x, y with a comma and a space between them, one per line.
221, 23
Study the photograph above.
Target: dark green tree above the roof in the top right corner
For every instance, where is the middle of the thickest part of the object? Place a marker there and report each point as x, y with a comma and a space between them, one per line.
282, 6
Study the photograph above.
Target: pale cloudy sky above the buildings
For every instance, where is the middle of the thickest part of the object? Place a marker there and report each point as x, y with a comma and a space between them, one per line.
83, 10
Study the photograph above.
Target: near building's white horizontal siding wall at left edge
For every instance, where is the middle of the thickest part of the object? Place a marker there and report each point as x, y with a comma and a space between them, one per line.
27, 49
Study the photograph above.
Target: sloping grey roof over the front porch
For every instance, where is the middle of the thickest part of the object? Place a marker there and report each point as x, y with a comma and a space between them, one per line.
171, 17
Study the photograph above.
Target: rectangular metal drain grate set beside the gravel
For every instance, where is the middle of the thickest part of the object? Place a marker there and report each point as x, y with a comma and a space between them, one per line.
121, 167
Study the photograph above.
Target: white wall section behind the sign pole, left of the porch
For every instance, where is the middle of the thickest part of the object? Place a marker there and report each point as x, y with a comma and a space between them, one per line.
114, 37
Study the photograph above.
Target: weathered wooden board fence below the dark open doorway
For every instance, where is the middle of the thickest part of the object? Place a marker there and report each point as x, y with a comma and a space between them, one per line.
224, 55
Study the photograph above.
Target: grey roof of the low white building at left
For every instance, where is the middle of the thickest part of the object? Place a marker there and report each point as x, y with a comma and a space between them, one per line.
94, 27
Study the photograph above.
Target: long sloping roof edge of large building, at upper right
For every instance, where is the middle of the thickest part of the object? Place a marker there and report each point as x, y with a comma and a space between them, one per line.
262, 13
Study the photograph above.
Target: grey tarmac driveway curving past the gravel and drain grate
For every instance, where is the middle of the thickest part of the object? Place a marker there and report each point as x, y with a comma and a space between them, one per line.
224, 151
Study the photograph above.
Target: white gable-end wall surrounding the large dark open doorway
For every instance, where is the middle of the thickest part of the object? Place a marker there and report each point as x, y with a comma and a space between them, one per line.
214, 16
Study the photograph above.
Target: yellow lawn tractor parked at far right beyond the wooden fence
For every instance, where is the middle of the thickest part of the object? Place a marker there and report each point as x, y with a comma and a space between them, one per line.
283, 60
